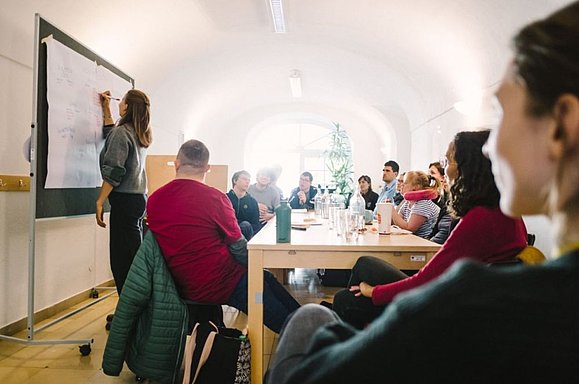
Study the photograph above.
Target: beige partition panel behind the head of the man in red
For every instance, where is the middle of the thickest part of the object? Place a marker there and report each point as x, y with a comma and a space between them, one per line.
161, 170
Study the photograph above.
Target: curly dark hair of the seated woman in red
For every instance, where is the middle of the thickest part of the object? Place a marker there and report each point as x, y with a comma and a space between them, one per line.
475, 184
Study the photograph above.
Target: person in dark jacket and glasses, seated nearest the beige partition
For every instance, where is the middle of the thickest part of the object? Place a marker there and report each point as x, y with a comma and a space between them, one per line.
244, 205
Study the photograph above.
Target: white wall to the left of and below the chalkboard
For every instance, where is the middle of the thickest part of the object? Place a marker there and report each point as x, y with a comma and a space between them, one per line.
71, 254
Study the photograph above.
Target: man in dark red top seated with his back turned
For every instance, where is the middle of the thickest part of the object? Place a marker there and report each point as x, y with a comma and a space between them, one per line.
197, 231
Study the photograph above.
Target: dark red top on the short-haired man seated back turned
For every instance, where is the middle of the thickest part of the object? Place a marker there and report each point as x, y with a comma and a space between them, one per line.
194, 224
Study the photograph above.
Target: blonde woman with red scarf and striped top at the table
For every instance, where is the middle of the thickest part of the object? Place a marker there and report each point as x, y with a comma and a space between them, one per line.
419, 214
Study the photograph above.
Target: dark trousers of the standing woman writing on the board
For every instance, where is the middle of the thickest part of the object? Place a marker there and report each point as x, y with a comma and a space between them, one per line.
125, 233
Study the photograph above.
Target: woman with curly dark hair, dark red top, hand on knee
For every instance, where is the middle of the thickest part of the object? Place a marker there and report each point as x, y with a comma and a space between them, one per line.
483, 234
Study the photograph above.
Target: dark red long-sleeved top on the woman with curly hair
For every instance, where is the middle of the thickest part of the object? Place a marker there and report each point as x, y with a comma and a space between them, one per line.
483, 234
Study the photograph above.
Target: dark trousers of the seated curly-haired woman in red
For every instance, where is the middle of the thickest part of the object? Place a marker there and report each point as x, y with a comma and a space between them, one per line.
359, 311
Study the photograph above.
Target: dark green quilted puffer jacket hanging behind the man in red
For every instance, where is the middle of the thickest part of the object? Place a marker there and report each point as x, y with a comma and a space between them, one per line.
150, 324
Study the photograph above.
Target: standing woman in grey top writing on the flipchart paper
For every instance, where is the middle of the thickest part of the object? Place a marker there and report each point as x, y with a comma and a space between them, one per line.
122, 164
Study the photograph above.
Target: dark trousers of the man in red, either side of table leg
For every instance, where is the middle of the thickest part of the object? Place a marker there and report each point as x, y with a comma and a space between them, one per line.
278, 303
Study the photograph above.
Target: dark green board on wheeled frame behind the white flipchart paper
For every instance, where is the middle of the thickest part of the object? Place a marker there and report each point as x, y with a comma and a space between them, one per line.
63, 202
